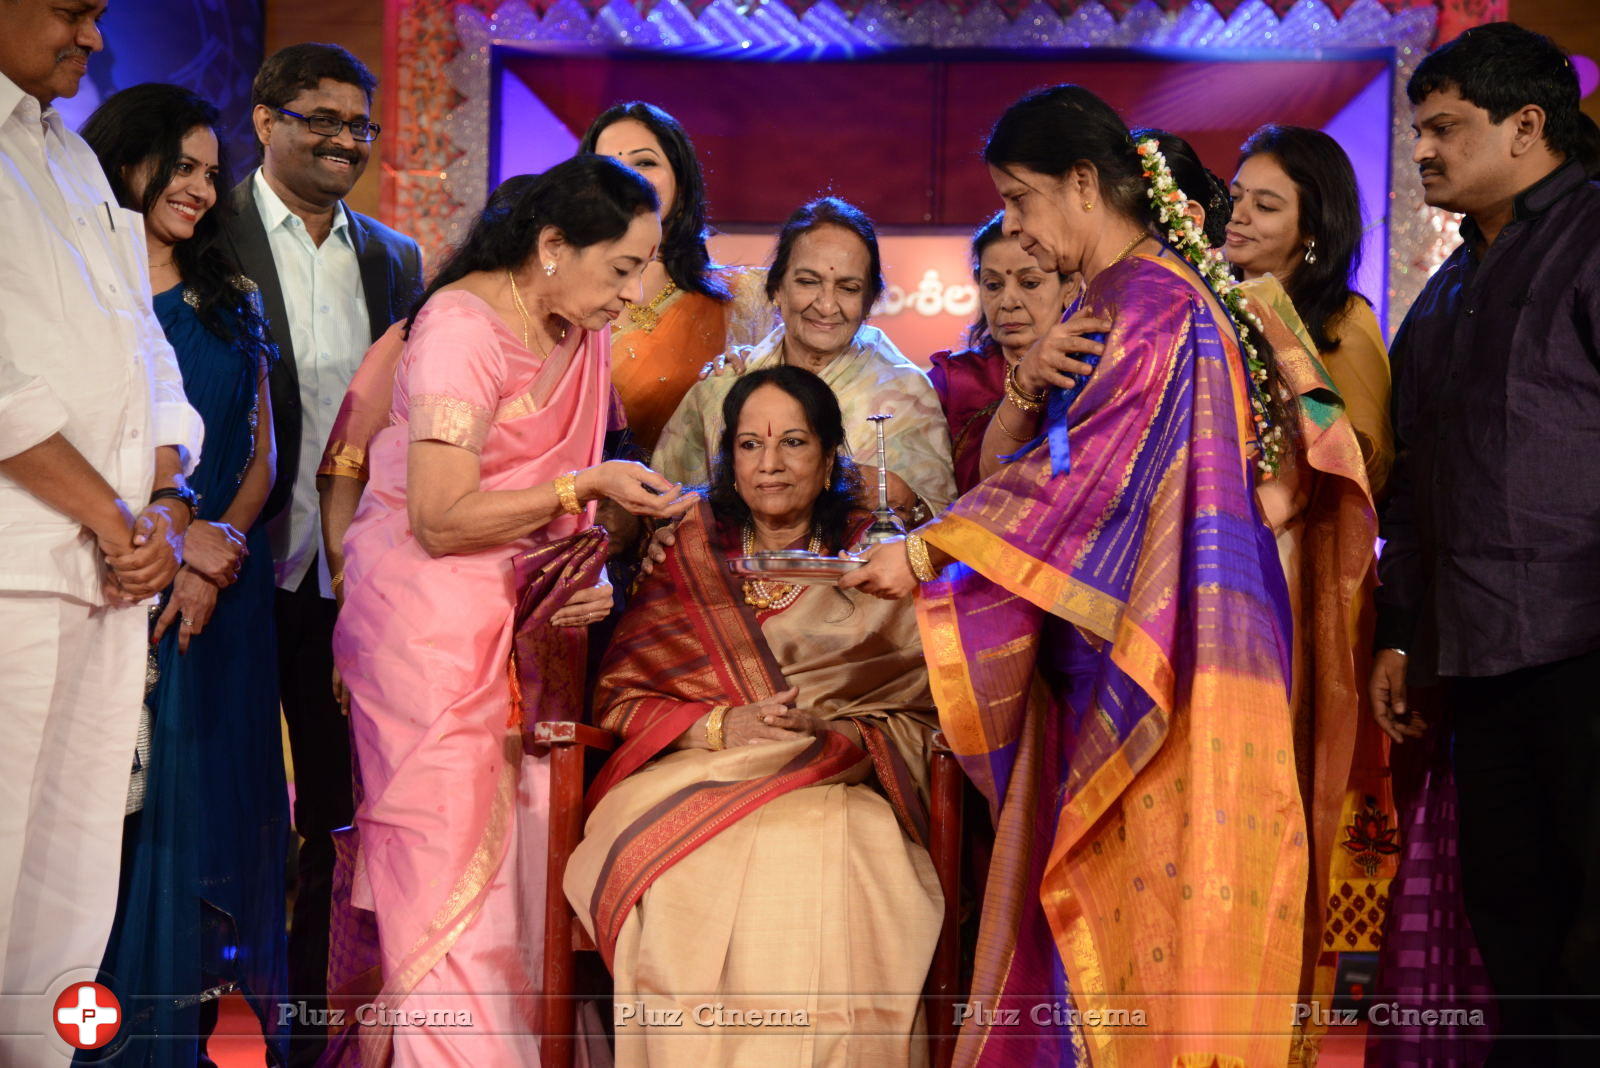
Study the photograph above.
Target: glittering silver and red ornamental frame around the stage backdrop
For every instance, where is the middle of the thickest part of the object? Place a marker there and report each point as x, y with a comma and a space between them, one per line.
441, 62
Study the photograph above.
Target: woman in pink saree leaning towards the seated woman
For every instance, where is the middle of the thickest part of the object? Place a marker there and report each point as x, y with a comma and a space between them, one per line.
481, 485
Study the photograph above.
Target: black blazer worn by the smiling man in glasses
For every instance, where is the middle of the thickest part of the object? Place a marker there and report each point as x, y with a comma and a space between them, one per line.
391, 279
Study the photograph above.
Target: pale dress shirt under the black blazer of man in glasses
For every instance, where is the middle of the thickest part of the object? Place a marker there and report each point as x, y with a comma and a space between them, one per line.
330, 332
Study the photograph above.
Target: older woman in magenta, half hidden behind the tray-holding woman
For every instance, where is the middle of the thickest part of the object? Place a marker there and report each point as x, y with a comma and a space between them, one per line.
1018, 301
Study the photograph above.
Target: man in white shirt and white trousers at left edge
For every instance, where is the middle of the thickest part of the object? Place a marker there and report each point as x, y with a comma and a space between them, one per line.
94, 426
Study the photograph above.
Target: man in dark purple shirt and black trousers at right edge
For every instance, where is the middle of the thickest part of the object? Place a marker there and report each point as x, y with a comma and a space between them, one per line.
1492, 567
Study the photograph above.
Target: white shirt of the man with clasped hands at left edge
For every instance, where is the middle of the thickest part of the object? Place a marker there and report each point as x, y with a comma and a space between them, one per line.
81, 349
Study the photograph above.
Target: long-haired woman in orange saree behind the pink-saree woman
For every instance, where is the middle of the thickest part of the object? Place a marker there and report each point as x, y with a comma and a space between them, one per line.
692, 311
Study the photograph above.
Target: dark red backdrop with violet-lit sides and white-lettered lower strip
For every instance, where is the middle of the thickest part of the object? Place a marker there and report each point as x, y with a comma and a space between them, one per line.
900, 137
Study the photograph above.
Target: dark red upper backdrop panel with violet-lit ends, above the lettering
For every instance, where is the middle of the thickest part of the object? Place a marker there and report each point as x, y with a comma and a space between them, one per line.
897, 135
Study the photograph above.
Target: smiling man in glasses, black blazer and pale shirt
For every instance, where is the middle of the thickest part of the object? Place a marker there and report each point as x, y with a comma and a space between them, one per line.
332, 282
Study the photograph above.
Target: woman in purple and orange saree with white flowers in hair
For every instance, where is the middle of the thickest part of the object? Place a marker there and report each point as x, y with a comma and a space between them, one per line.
1110, 650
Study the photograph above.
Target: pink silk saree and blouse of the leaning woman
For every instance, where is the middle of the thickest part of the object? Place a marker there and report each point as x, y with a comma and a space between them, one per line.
454, 819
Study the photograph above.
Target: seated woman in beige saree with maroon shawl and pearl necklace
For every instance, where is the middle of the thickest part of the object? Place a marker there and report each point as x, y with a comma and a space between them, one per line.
754, 867
